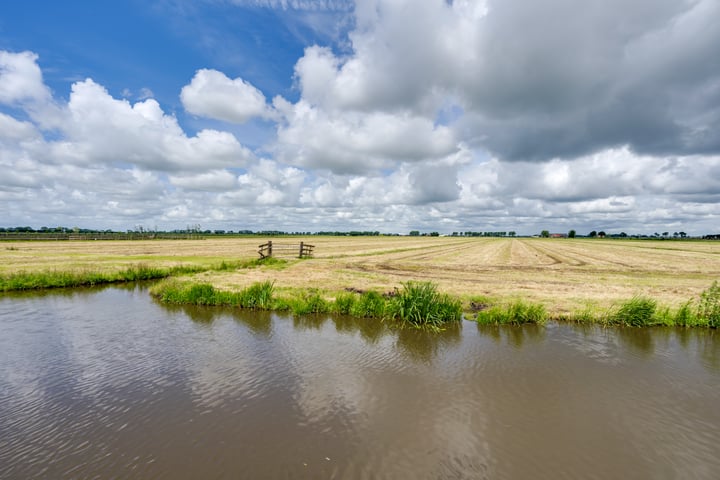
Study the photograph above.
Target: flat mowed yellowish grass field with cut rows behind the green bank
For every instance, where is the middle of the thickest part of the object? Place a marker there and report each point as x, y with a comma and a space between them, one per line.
563, 274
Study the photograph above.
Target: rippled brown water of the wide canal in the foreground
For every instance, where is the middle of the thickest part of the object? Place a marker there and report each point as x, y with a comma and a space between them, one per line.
109, 384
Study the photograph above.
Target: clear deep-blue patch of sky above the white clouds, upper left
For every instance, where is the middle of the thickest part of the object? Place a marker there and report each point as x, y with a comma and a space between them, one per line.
135, 45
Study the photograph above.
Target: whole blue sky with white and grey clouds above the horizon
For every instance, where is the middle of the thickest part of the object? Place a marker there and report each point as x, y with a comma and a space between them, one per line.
371, 115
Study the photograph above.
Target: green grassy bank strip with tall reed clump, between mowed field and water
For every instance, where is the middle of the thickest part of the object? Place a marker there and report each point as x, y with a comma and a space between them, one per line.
420, 304
